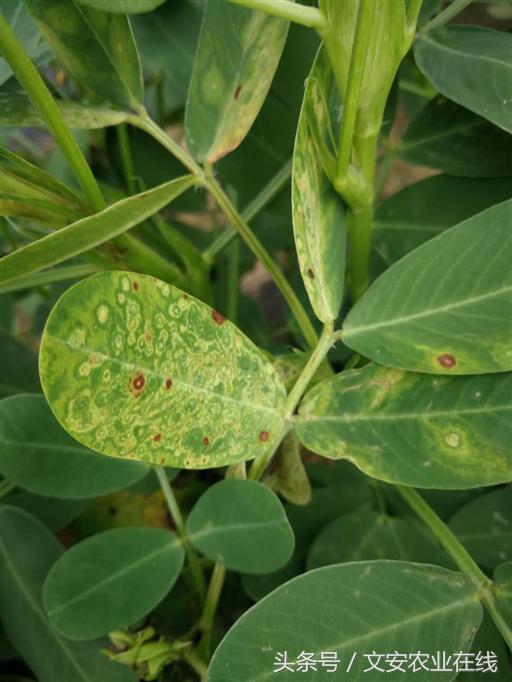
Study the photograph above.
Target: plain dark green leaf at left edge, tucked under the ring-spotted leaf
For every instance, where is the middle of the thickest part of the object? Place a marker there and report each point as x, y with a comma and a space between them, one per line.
37, 455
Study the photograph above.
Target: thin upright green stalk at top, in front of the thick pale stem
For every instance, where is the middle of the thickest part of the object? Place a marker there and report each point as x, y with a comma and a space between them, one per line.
351, 97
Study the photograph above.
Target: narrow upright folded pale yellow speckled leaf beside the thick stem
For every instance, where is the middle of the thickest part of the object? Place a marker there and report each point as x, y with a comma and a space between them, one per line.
319, 222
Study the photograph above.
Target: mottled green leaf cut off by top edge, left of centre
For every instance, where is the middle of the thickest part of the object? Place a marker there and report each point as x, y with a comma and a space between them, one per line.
96, 48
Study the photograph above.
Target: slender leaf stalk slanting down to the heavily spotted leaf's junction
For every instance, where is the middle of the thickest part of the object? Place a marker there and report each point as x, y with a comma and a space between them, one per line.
303, 321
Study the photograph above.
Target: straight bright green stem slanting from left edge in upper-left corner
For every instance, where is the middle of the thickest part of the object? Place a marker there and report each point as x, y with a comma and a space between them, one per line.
29, 78
